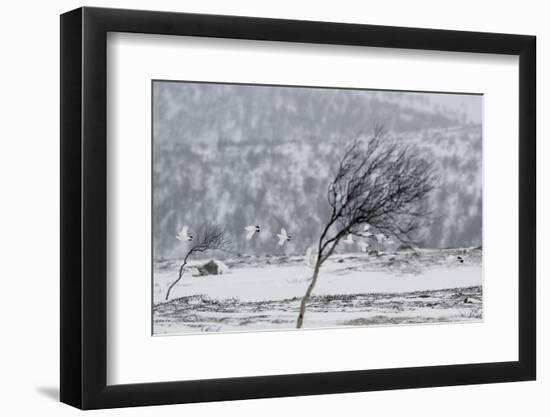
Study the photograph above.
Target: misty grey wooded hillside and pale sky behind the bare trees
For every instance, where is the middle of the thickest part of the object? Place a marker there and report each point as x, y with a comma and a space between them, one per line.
242, 155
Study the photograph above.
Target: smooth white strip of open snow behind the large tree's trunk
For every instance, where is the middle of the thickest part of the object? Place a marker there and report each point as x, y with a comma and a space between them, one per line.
277, 282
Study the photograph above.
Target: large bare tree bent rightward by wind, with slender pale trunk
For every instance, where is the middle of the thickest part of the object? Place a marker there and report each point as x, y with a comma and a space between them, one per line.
379, 182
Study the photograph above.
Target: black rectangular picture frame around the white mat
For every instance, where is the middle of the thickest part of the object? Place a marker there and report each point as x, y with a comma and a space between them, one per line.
84, 207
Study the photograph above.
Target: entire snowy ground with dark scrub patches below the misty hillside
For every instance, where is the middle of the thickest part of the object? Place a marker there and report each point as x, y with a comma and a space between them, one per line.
264, 293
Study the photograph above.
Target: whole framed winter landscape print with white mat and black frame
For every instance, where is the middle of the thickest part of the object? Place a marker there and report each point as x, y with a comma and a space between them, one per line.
257, 207
